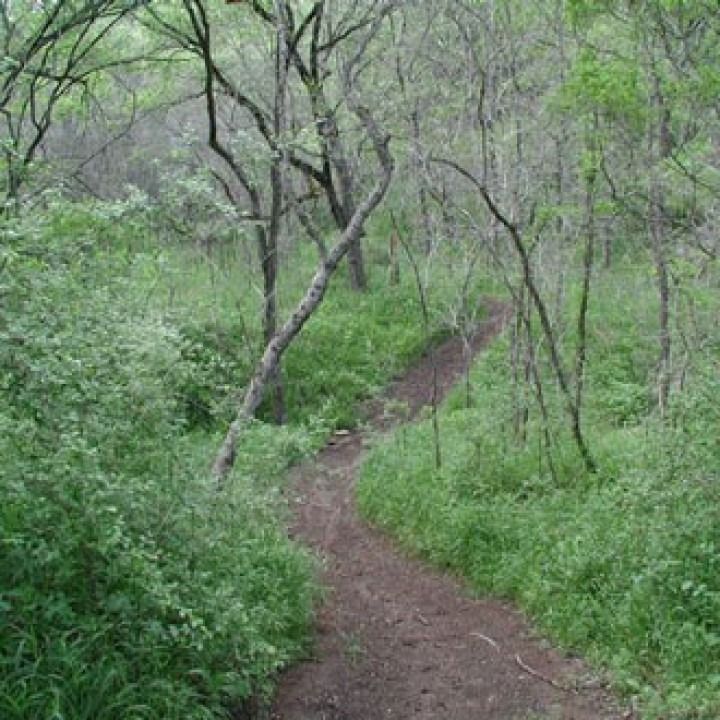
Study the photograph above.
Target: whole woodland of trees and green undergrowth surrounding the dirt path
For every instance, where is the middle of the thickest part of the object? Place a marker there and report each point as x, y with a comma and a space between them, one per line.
226, 225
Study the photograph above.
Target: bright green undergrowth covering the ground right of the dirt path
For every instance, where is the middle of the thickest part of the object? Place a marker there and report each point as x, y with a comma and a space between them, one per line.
622, 565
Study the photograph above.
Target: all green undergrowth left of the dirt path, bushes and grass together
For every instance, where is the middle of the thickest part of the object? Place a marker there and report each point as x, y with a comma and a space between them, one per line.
130, 587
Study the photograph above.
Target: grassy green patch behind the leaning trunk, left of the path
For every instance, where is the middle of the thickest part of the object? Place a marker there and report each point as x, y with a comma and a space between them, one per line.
348, 350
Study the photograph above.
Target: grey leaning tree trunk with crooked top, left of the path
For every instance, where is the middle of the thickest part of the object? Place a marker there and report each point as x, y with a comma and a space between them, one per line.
268, 364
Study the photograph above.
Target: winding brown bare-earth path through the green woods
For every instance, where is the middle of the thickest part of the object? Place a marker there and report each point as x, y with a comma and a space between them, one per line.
395, 639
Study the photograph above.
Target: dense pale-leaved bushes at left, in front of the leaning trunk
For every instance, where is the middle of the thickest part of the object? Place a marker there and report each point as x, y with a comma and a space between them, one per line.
128, 586
